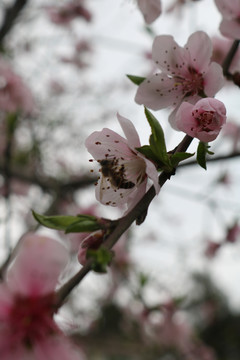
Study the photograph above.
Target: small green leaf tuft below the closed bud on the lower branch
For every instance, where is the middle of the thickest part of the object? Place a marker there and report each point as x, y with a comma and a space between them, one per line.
101, 257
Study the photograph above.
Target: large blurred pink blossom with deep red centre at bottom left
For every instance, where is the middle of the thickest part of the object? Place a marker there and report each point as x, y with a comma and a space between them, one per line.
27, 328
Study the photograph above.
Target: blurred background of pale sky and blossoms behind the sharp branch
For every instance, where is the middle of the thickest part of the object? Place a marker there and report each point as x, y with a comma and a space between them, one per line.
172, 291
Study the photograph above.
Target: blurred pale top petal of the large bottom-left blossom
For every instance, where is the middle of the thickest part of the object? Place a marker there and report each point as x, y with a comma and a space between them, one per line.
37, 266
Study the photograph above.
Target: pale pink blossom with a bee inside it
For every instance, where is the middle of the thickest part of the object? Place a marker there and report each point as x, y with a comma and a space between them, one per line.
124, 171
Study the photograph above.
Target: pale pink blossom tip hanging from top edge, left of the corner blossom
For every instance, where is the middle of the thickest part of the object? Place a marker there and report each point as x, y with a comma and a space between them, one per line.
151, 9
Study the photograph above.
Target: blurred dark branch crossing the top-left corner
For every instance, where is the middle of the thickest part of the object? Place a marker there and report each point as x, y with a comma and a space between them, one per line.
11, 15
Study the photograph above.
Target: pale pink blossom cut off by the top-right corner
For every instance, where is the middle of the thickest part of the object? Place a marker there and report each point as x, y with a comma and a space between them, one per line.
230, 10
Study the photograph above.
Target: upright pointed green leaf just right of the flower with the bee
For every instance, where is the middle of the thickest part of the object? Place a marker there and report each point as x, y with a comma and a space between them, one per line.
157, 141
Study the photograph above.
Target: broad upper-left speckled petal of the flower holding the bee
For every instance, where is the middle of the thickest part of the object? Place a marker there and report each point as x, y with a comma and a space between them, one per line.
106, 143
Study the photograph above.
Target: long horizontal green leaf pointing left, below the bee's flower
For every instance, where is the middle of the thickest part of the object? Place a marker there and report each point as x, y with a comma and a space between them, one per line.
79, 223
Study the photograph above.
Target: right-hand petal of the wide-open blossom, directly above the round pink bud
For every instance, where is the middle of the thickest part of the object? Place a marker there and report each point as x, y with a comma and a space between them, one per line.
213, 80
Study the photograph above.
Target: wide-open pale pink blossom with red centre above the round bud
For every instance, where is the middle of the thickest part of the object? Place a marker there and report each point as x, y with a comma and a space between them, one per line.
186, 73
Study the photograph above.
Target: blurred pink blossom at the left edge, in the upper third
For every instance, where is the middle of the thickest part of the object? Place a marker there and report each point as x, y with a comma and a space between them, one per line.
14, 94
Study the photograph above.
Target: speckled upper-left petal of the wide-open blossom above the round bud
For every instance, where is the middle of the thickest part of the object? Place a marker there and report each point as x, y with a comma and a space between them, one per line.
168, 55
